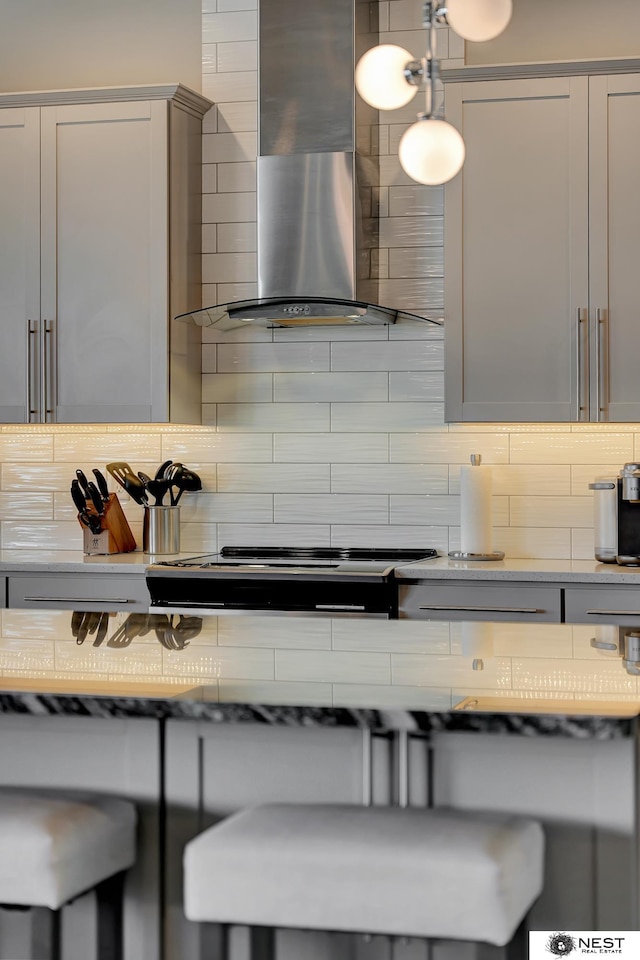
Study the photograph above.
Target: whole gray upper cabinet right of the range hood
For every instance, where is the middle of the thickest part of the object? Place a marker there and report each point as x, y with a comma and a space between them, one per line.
541, 283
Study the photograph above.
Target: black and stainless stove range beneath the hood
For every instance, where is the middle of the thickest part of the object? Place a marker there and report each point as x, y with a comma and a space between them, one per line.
311, 581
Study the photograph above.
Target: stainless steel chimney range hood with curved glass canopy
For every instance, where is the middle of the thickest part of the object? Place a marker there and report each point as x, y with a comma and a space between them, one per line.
317, 223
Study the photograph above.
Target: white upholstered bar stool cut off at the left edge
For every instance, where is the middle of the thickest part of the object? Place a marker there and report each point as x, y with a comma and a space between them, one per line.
55, 847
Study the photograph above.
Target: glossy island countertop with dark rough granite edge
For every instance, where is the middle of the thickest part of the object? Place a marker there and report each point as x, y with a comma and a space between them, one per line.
423, 675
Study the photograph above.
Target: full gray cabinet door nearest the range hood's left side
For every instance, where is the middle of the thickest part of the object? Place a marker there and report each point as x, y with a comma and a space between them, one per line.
104, 259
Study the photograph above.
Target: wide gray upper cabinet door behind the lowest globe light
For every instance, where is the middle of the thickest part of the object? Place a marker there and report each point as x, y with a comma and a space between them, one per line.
516, 252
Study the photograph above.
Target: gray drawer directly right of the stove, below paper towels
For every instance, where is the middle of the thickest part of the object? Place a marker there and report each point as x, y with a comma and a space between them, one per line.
480, 601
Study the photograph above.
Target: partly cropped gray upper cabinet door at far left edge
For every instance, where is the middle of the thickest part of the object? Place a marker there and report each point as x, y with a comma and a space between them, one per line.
19, 260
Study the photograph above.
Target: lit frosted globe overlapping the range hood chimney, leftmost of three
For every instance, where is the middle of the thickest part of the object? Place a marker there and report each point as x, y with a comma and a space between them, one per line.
380, 77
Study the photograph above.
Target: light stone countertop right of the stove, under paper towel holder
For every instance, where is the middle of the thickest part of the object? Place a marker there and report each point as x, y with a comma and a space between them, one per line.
525, 571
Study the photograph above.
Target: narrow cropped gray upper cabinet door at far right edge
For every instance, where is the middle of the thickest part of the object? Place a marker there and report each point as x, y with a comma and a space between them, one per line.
614, 239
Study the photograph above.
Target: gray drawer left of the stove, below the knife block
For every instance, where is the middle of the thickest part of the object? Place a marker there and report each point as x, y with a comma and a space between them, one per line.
79, 592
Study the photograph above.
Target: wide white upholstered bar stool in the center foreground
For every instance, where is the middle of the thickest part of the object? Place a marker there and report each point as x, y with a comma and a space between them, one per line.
436, 874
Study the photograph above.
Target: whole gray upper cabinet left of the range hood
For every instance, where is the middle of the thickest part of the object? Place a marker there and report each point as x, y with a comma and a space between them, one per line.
99, 250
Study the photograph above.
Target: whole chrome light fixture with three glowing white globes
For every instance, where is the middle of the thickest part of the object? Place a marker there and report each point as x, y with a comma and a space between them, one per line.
431, 151
